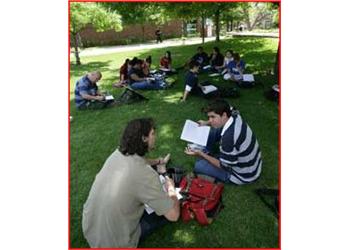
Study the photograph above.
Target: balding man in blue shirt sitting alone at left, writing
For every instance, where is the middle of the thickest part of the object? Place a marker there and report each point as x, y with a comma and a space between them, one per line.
87, 95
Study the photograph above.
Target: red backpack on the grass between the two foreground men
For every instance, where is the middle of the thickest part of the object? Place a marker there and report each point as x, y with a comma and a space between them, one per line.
202, 199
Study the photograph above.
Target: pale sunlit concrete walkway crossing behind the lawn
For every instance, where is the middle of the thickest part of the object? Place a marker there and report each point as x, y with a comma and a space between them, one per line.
167, 43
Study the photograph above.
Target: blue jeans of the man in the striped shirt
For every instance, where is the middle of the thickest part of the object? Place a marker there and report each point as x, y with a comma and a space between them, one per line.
204, 167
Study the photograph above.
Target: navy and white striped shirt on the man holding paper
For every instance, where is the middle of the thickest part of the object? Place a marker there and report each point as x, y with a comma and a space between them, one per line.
239, 151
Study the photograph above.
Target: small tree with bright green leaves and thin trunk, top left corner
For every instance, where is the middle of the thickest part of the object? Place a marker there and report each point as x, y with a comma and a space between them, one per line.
82, 14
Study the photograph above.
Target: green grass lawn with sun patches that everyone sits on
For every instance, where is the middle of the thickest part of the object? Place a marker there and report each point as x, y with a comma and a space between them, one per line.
245, 222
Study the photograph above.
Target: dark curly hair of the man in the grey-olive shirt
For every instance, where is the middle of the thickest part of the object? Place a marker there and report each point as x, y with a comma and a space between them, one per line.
132, 139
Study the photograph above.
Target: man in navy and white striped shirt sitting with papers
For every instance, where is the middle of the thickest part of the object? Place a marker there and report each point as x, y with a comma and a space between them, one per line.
239, 160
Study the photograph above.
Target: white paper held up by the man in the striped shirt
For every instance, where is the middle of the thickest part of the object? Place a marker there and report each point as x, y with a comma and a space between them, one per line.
192, 132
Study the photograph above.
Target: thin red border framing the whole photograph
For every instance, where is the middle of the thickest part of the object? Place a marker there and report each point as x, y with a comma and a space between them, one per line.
279, 113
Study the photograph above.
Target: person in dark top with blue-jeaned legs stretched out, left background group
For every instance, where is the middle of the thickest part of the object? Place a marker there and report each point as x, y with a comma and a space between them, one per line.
137, 79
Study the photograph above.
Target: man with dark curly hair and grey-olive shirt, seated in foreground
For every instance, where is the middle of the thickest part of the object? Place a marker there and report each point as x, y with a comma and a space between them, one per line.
114, 214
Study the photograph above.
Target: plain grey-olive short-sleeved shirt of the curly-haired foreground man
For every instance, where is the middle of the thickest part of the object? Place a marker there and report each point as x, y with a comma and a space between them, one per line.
113, 210
